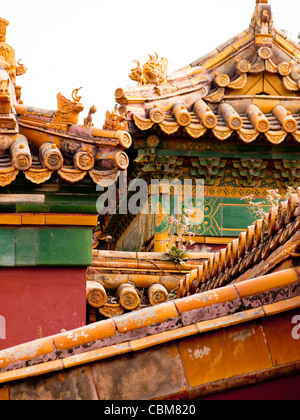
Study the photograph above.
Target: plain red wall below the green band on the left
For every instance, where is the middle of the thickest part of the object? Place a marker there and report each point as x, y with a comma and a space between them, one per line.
45, 299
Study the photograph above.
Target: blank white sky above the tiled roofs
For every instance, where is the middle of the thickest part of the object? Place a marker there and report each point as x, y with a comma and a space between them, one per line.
66, 44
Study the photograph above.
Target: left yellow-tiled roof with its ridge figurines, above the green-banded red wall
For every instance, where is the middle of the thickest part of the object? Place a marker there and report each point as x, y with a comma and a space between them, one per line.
39, 142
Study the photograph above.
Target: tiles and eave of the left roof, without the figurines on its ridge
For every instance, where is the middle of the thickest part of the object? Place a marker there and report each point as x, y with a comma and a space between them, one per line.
38, 150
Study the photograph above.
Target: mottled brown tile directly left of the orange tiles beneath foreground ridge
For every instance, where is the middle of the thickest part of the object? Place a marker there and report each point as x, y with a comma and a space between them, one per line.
143, 376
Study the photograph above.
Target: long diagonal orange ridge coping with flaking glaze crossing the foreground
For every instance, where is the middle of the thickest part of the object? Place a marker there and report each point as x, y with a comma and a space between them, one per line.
156, 325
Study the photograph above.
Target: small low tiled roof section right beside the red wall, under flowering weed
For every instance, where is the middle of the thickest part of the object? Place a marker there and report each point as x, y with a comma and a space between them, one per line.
111, 293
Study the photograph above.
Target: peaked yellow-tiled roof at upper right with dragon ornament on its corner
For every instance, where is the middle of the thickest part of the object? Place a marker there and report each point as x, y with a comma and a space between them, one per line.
224, 92
